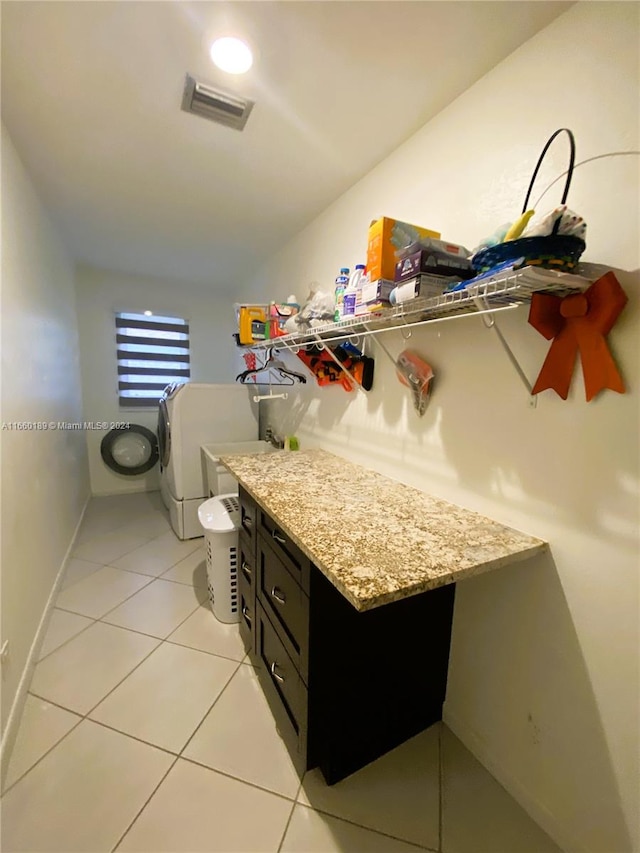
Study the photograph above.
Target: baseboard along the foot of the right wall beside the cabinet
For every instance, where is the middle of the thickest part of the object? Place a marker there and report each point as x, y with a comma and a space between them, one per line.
533, 807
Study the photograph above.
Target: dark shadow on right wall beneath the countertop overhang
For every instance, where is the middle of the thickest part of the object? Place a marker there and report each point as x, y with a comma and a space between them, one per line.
547, 740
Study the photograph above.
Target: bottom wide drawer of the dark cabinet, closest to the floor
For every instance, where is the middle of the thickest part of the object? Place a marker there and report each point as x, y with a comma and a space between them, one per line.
283, 688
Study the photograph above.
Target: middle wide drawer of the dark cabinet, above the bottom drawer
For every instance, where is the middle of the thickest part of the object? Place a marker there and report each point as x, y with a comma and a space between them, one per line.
286, 605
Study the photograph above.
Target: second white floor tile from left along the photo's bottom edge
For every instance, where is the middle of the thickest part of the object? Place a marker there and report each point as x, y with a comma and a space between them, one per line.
198, 811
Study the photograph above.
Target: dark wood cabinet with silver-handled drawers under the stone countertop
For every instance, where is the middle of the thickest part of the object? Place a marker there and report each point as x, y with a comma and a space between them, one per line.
344, 686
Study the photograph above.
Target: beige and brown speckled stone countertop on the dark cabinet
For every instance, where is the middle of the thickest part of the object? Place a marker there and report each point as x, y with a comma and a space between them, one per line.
375, 539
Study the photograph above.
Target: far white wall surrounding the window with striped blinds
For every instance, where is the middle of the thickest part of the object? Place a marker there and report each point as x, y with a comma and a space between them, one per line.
100, 294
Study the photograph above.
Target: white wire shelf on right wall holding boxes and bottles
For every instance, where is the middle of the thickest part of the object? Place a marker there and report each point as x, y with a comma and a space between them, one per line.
504, 291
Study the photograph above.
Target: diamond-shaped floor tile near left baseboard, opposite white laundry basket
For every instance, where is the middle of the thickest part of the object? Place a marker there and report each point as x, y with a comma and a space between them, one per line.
101, 592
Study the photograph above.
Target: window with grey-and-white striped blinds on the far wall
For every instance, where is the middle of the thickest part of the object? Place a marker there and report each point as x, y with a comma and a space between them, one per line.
152, 352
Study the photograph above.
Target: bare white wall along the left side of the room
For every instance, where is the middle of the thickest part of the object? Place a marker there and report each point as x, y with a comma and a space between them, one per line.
45, 481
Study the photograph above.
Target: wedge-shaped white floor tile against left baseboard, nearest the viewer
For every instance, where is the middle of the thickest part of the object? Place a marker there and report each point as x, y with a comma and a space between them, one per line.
41, 727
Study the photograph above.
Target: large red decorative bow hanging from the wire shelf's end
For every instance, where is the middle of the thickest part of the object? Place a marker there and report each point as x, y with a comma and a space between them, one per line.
579, 323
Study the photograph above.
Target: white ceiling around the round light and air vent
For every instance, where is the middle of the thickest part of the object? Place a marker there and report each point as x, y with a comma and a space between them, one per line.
91, 96
